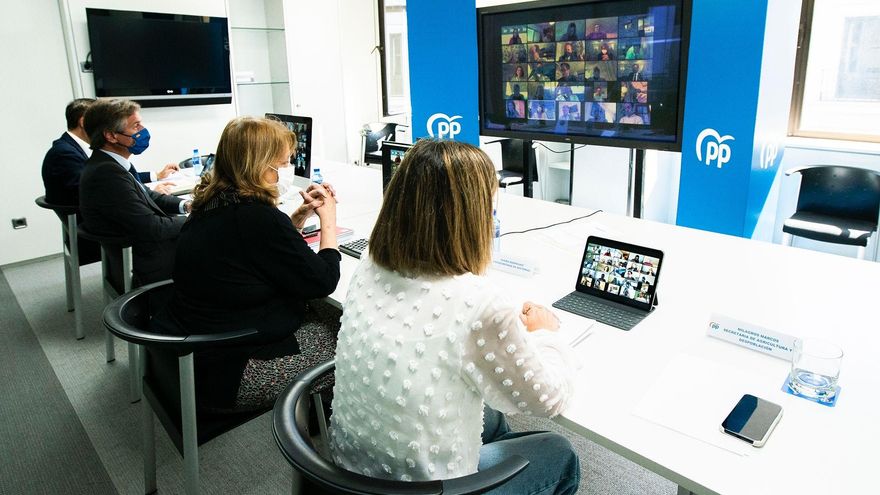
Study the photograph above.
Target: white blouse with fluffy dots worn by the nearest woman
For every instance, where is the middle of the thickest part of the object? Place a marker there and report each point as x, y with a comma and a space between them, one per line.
416, 359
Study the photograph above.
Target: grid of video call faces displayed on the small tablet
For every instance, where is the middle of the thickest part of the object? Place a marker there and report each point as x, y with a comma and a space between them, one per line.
620, 272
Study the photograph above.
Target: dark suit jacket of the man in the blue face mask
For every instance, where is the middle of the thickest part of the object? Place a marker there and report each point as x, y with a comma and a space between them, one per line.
113, 203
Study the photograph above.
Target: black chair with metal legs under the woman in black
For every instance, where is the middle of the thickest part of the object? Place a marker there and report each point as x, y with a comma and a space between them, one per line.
169, 381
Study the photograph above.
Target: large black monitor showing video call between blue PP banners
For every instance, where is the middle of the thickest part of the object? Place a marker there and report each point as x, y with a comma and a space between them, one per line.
585, 71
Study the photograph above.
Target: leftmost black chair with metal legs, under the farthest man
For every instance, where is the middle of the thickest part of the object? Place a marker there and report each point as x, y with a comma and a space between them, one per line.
72, 261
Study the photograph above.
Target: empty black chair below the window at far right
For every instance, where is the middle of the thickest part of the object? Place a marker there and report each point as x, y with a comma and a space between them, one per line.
836, 204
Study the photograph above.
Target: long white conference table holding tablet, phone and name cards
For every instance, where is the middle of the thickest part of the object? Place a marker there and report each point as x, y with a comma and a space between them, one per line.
657, 394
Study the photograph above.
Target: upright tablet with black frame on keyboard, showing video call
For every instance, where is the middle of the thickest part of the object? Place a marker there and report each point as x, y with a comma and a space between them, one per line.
620, 272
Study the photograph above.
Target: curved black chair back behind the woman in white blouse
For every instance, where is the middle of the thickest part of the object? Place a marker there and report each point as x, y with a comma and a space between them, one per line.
290, 425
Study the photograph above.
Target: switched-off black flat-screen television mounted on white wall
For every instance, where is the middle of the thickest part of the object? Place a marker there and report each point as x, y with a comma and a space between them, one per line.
160, 59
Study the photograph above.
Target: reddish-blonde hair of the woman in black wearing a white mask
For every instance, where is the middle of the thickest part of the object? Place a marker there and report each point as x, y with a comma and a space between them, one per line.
247, 147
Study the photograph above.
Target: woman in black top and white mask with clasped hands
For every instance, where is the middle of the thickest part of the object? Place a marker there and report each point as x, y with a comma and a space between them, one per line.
241, 263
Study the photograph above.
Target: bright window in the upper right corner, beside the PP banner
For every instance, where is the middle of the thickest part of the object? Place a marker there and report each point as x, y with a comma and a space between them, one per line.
837, 77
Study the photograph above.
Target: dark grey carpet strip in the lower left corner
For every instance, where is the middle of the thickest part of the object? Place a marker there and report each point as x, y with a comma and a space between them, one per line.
45, 447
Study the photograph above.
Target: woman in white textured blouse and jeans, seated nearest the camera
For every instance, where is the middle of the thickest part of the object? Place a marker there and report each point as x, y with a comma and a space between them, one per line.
425, 340
